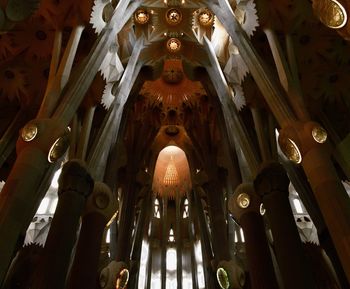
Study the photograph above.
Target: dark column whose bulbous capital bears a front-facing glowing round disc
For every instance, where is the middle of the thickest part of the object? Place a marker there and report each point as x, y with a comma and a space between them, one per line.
244, 205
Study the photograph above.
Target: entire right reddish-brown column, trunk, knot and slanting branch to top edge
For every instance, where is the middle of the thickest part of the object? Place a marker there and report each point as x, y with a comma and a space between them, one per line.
298, 137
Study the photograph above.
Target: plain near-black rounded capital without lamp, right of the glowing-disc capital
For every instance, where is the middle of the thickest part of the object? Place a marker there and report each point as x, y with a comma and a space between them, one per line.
270, 178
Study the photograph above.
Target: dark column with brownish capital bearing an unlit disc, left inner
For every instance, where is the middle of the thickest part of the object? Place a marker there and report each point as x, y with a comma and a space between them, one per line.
99, 209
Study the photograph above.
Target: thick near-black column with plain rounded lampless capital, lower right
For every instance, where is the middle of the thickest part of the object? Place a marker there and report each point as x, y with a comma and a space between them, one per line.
271, 184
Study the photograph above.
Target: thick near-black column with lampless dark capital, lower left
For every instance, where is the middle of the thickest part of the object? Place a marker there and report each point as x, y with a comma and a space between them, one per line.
75, 185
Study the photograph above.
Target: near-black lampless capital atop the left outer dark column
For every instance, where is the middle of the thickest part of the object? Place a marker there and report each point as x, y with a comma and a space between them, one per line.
75, 177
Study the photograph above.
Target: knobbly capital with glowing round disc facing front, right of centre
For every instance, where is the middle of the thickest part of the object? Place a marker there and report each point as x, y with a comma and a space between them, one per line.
244, 201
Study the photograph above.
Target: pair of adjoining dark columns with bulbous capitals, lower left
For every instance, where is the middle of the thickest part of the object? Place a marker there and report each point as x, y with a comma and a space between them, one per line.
80, 198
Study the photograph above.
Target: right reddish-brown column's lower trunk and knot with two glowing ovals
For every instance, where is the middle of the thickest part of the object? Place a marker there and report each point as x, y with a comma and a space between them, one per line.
304, 143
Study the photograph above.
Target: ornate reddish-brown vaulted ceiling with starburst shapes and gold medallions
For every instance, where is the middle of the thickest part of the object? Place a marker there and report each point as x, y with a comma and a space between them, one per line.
173, 32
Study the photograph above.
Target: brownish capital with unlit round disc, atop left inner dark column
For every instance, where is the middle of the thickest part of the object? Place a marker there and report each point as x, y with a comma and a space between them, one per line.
101, 201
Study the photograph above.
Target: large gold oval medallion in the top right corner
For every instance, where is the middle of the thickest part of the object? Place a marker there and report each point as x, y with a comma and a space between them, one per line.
332, 14
